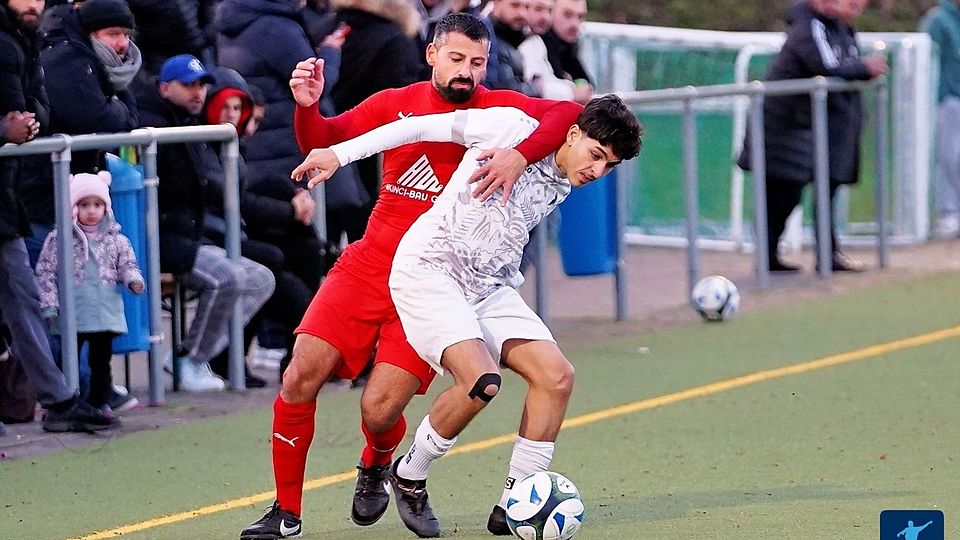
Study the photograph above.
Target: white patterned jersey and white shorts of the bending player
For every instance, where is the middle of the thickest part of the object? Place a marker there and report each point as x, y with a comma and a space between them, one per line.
456, 270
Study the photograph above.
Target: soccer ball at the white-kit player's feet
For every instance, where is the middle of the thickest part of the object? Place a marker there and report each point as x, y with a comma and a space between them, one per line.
544, 506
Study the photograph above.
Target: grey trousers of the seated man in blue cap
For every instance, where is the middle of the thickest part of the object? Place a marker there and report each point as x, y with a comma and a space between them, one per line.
221, 282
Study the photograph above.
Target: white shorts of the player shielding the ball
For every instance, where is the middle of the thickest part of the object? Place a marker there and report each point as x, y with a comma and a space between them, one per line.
435, 315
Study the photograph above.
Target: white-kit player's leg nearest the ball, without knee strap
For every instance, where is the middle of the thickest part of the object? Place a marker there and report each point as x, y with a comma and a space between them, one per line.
524, 344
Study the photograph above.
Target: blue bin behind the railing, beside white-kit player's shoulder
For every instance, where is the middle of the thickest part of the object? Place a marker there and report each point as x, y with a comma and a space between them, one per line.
588, 228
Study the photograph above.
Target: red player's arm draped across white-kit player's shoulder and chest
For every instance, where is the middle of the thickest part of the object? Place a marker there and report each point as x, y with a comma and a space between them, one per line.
507, 164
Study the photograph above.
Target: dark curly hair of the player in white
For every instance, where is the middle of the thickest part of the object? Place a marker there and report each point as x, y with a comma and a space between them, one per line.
608, 120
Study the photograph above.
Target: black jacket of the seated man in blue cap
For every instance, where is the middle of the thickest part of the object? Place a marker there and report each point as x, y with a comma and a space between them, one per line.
187, 174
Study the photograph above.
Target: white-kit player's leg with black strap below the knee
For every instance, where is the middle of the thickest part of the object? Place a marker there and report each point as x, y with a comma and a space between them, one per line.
476, 383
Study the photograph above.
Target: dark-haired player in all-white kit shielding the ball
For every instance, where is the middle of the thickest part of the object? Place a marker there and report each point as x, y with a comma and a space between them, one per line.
454, 277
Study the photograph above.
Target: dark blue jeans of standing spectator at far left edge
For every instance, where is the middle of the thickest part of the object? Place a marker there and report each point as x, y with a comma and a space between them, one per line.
20, 299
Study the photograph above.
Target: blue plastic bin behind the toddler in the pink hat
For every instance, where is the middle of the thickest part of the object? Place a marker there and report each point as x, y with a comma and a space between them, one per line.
129, 207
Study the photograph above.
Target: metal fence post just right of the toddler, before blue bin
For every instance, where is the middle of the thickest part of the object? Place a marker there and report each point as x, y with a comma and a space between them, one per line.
154, 361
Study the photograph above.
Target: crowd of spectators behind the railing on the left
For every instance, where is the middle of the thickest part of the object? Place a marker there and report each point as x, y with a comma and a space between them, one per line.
102, 66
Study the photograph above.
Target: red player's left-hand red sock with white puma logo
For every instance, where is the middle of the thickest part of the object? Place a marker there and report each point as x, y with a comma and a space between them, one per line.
293, 426
